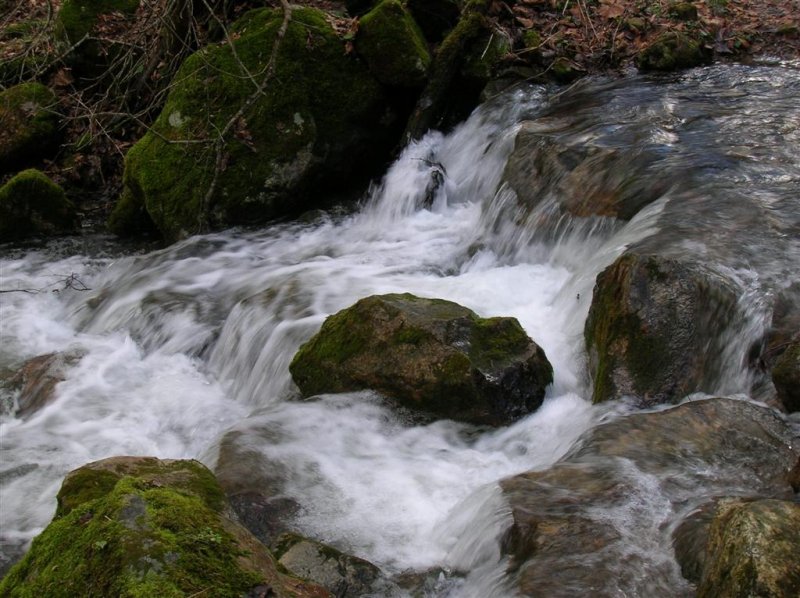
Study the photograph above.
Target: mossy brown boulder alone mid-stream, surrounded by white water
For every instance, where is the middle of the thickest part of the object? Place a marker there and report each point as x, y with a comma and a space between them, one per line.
431, 354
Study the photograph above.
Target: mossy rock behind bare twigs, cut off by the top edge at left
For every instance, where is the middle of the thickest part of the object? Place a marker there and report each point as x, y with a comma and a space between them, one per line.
76, 30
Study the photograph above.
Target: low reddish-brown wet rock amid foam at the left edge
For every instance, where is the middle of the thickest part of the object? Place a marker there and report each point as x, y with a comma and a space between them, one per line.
35, 381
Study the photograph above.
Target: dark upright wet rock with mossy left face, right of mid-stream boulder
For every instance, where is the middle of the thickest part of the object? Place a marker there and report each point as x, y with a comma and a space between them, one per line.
652, 328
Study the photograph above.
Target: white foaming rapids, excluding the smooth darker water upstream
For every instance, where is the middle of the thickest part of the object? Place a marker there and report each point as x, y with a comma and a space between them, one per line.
185, 344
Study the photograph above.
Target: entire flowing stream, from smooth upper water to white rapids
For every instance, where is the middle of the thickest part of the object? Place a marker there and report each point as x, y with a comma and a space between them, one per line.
184, 345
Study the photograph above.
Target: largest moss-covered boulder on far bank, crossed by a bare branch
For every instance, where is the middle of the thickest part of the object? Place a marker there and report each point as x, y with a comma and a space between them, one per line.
319, 120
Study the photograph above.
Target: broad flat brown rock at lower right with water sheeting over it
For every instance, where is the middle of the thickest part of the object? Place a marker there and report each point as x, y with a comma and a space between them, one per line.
628, 483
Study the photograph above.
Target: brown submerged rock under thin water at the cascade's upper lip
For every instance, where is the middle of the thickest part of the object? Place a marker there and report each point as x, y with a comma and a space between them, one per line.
580, 178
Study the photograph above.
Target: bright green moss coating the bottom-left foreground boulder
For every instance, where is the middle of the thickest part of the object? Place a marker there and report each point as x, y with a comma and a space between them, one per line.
136, 539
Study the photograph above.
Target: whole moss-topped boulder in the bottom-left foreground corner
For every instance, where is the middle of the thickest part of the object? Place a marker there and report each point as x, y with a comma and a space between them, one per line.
138, 526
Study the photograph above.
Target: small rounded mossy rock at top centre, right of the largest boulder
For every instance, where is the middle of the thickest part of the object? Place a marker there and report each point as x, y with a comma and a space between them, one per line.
393, 46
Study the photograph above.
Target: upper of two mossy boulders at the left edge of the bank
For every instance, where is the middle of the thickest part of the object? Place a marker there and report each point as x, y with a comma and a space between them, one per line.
28, 125
